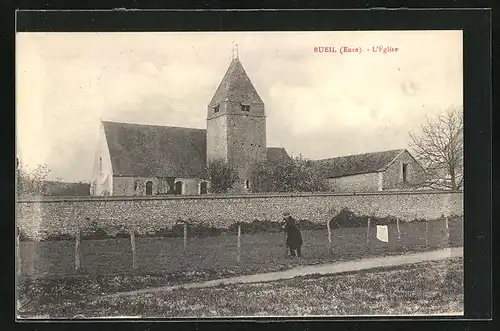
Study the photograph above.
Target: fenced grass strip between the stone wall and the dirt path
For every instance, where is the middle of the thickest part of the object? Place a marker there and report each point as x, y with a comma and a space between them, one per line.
217, 255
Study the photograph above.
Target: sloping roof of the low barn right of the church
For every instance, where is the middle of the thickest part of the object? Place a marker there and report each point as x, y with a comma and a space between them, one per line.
357, 164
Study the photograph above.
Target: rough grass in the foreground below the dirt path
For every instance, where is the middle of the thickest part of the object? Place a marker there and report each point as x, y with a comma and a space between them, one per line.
425, 288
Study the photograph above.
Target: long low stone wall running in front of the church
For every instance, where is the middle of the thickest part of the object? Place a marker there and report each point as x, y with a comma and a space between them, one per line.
146, 215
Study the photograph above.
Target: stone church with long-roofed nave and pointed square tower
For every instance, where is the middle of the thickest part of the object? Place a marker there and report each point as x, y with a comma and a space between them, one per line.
136, 159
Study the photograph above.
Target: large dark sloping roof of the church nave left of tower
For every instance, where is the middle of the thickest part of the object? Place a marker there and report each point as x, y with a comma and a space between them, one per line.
156, 151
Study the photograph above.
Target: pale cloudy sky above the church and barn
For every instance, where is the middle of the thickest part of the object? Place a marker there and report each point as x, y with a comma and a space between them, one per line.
319, 105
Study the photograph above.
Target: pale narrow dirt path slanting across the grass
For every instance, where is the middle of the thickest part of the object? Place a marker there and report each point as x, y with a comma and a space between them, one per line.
323, 269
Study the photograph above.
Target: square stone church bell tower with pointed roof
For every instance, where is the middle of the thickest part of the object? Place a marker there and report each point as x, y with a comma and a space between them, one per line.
236, 125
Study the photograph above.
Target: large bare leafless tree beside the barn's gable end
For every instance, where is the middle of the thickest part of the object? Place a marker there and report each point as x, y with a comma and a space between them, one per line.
439, 148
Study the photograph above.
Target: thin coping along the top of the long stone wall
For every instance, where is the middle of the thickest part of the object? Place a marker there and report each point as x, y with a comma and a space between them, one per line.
229, 196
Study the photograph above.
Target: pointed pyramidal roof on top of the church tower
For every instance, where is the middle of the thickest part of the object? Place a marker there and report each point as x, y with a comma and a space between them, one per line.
236, 86
